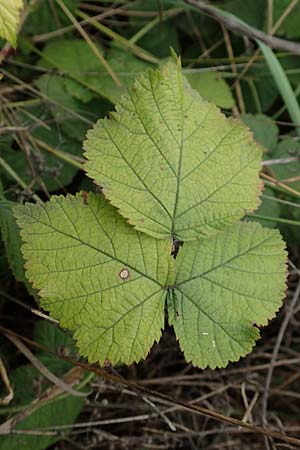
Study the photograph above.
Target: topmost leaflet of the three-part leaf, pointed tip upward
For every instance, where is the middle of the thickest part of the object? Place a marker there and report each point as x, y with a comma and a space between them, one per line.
171, 162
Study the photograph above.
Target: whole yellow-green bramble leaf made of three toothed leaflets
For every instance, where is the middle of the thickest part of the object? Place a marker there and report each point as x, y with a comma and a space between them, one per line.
176, 177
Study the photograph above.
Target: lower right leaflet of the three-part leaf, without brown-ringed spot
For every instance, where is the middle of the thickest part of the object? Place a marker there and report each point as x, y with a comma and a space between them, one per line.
224, 285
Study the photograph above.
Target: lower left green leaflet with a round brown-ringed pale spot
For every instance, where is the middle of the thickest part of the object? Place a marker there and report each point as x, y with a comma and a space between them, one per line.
76, 252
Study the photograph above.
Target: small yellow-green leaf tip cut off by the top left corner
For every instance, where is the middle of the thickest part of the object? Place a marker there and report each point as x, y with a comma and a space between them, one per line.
9, 19
